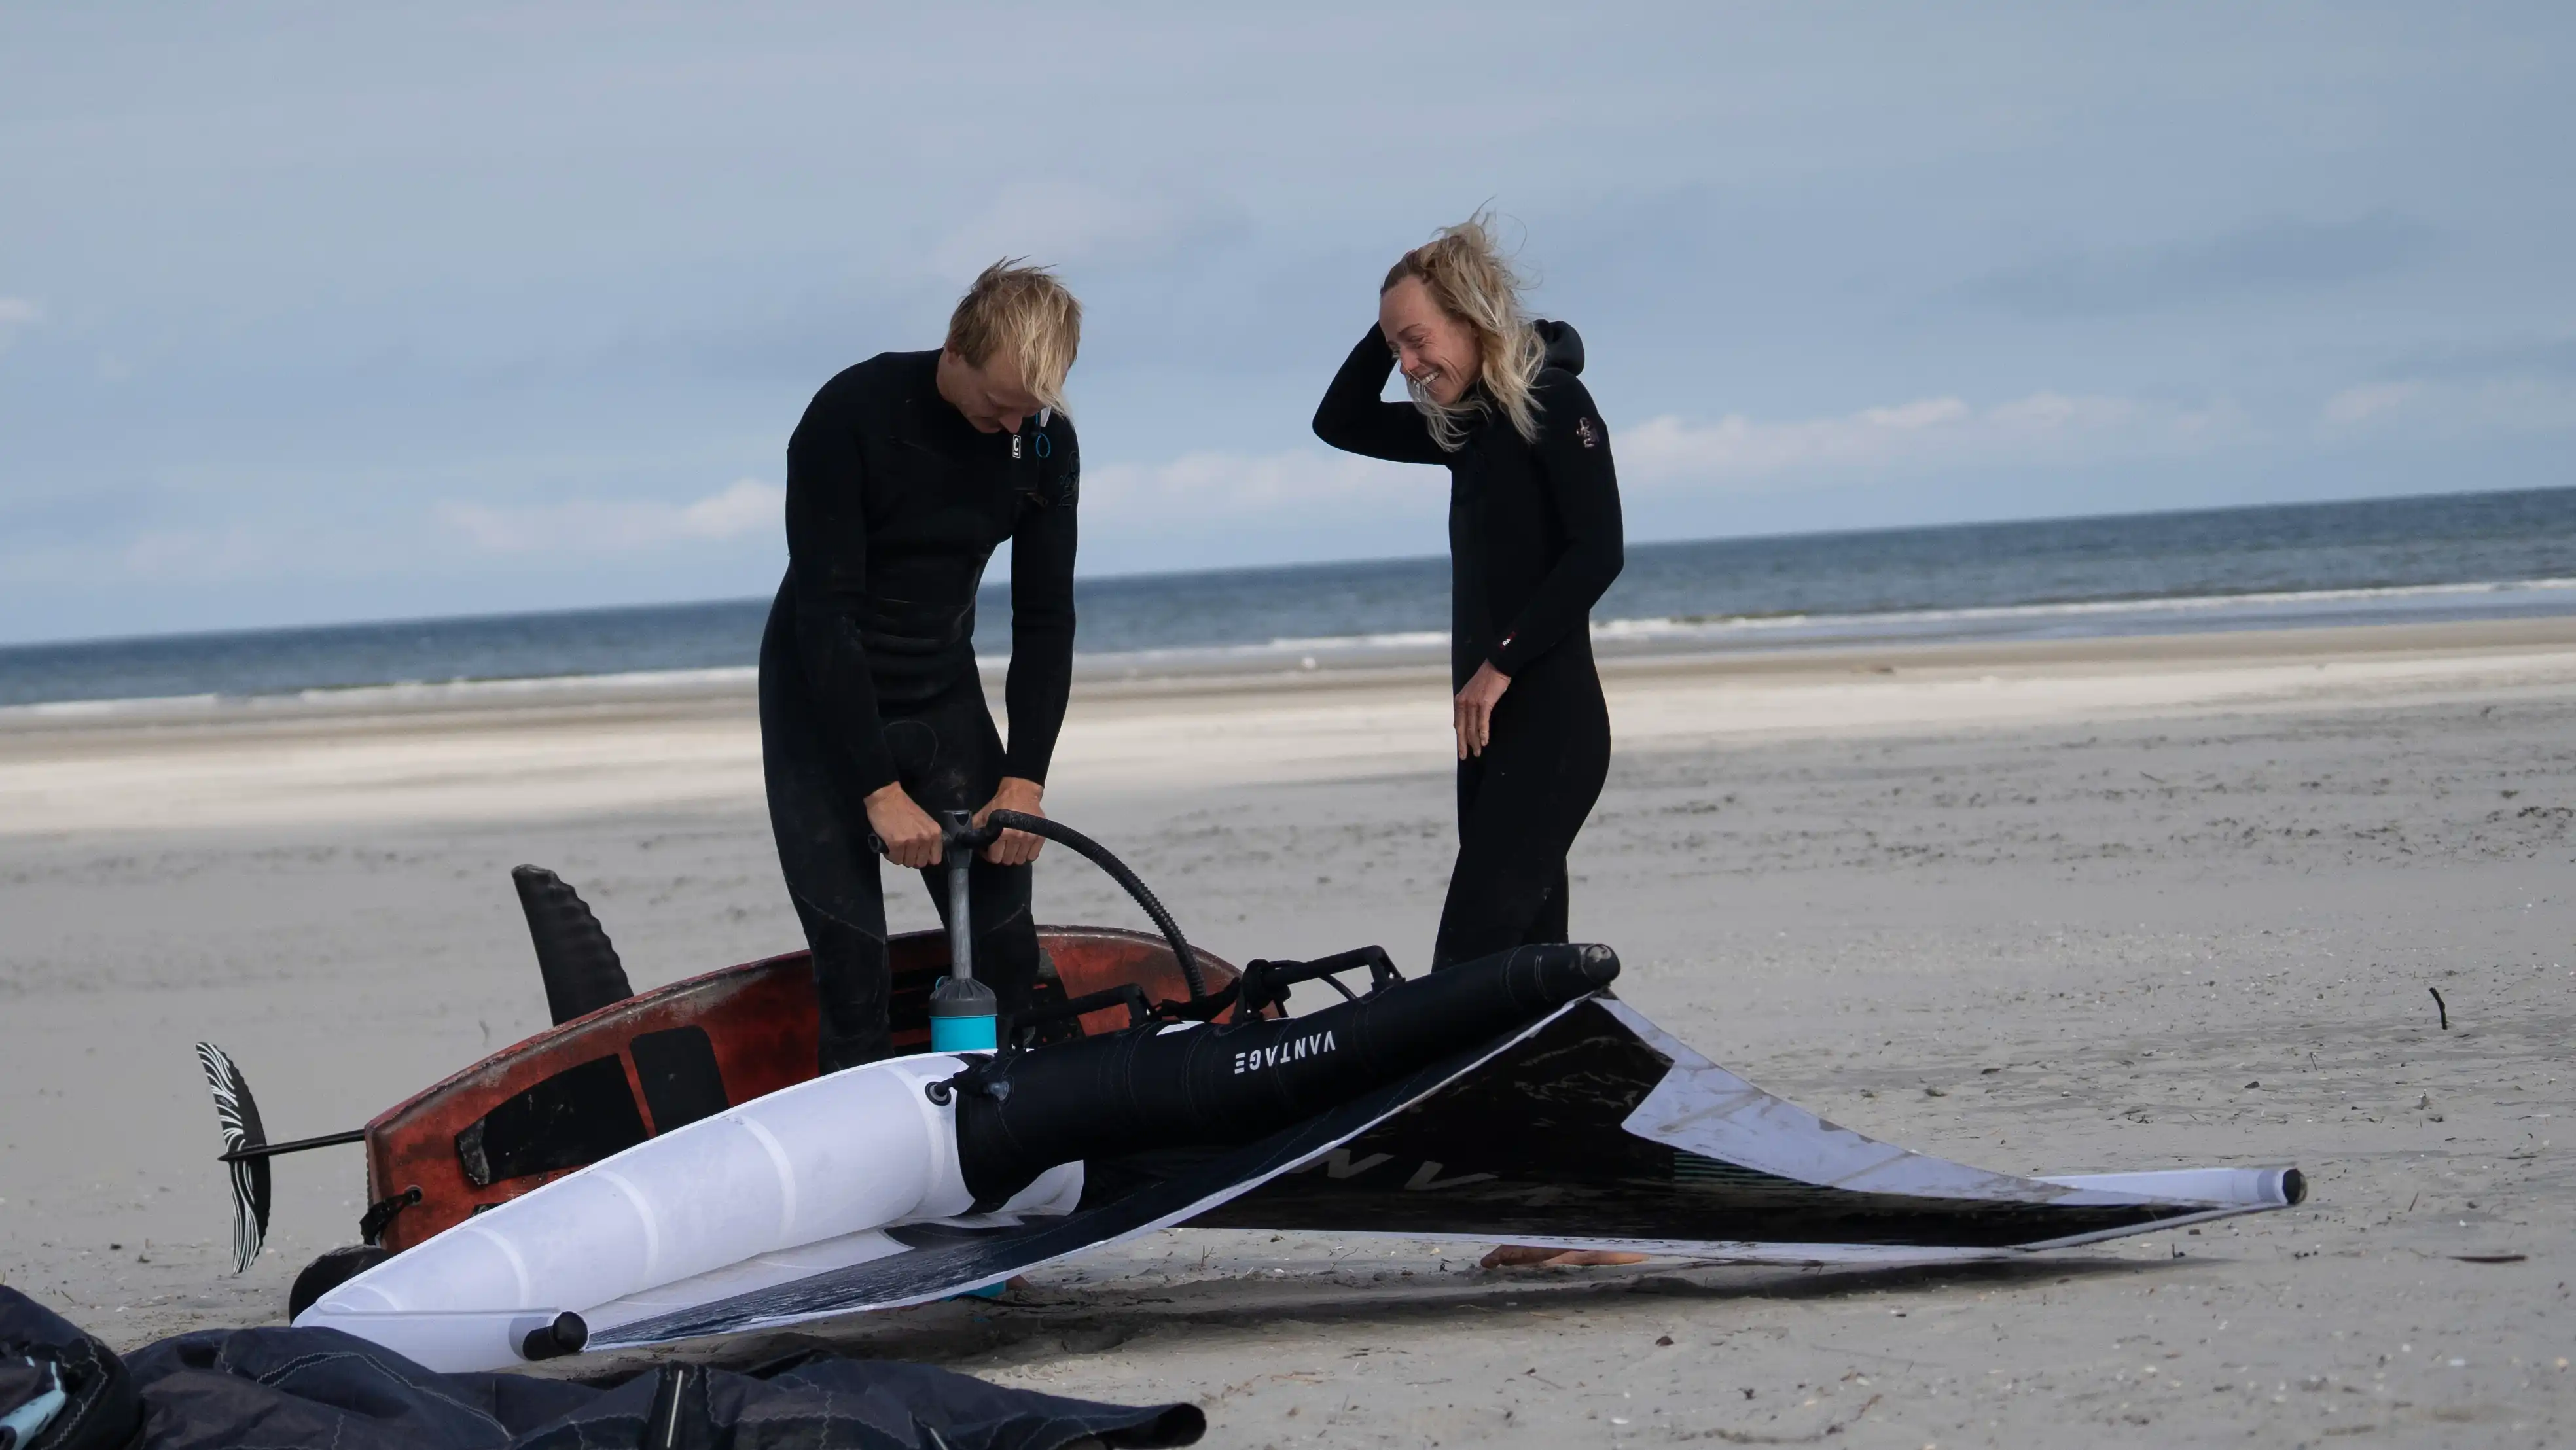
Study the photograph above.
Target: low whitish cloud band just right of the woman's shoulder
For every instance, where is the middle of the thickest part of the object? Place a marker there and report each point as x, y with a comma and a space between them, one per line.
1926, 434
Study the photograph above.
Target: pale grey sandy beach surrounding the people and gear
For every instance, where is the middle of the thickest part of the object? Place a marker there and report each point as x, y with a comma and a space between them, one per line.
2036, 908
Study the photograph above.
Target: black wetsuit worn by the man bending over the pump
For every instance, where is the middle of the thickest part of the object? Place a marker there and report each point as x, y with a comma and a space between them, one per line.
867, 671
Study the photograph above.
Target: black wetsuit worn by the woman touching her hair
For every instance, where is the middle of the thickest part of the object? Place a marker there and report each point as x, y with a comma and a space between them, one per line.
1534, 542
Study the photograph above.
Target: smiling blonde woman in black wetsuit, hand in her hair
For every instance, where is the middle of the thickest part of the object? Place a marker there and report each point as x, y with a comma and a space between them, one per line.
1534, 542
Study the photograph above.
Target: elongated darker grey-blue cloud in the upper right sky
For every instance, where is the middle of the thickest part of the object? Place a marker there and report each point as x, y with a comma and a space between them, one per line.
2255, 259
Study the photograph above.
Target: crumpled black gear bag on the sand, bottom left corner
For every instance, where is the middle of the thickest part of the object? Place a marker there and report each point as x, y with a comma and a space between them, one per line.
287, 1389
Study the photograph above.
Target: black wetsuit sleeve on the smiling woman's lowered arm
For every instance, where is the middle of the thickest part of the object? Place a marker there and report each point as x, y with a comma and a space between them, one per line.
1583, 488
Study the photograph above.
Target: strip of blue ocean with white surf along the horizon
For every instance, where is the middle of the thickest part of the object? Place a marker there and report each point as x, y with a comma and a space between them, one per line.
2255, 568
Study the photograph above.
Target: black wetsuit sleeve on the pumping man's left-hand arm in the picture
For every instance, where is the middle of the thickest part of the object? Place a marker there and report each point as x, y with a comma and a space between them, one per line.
828, 570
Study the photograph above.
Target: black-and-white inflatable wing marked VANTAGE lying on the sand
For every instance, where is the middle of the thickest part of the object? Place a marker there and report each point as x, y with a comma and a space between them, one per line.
1495, 1101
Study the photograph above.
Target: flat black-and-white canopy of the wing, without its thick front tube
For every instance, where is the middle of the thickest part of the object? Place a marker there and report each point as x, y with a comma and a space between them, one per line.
1586, 1129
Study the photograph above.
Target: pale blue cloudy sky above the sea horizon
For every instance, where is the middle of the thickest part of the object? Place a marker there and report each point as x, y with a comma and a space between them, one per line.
346, 313
